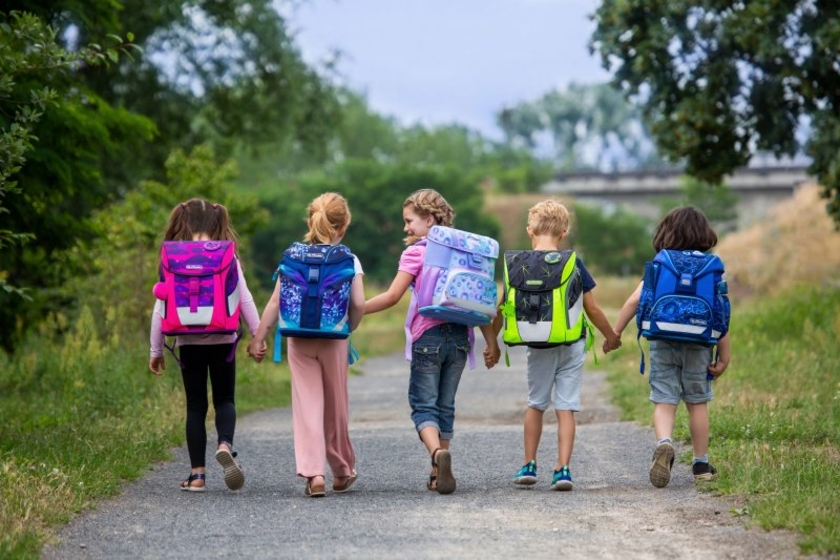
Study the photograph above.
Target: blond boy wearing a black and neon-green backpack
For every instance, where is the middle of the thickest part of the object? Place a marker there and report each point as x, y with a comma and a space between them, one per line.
547, 298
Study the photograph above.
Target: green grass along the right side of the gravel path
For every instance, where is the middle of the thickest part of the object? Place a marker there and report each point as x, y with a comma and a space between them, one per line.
775, 419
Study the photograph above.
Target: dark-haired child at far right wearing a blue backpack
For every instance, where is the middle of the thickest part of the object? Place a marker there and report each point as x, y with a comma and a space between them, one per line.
682, 308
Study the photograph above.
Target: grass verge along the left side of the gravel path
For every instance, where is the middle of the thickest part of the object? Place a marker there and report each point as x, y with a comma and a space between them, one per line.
83, 415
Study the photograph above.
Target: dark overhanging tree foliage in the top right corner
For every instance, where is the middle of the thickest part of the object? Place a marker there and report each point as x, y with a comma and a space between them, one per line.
718, 81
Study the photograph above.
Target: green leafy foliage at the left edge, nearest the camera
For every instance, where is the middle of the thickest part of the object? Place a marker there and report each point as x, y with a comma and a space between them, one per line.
54, 137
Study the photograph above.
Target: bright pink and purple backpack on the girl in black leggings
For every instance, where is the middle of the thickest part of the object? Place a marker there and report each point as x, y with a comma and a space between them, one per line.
199, 288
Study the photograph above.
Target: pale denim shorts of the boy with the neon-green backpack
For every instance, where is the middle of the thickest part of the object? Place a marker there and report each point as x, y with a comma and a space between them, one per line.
560, 368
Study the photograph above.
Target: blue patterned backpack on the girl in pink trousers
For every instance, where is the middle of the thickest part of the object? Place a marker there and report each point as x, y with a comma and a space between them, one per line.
314, 292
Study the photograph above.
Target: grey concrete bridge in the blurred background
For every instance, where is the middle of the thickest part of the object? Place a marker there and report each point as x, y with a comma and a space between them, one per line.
757, 188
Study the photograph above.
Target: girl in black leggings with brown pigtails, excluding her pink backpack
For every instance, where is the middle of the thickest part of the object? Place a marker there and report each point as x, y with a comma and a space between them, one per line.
203, 354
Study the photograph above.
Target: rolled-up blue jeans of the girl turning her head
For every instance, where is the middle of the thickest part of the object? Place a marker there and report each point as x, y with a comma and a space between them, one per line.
438, 359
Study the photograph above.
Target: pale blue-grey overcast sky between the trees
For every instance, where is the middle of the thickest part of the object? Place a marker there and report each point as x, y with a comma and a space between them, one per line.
440, 61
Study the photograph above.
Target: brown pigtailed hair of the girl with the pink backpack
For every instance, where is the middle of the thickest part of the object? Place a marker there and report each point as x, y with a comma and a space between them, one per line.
197, 216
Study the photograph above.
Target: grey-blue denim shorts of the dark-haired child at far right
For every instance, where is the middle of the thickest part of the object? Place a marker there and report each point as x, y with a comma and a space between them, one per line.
678, 371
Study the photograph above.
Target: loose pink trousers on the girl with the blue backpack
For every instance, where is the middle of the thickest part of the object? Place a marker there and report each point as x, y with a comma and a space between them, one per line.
320, 406
